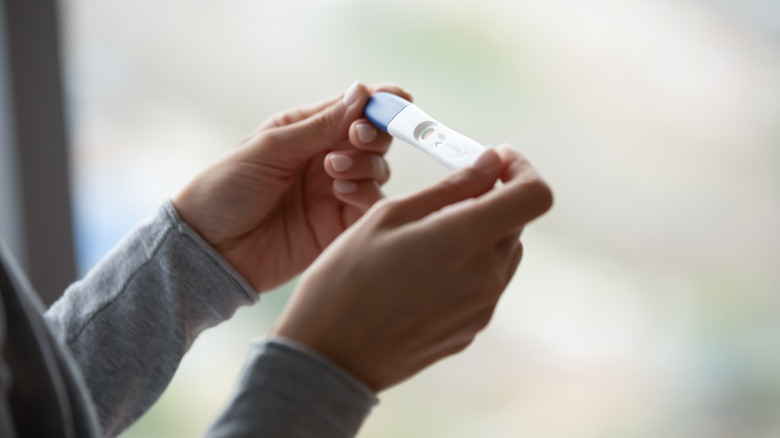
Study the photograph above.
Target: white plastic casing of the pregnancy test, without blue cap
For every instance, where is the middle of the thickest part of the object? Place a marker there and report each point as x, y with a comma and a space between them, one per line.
446, 146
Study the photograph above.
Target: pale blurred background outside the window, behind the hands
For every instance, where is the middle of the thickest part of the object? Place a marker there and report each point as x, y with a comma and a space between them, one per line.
648, 301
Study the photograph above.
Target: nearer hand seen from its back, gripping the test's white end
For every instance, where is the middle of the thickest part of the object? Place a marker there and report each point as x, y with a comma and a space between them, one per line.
417, 278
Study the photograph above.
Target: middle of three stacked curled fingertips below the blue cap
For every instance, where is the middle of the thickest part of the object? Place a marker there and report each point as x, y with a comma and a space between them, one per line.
357, 165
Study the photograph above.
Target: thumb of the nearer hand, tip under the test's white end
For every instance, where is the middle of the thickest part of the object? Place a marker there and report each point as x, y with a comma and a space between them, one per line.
466, 183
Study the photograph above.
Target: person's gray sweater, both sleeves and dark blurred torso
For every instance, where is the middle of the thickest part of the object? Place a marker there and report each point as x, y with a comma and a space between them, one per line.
109, 347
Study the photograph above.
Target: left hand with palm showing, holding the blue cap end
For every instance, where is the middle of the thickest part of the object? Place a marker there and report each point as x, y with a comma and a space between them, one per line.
276, 201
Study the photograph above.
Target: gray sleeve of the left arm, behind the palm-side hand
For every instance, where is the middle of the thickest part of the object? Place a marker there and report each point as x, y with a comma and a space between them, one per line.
132, 318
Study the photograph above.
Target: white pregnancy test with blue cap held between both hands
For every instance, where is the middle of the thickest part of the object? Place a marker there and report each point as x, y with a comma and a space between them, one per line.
403, 119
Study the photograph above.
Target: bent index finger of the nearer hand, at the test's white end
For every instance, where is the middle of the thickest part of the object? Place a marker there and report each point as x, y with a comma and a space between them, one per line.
523, 197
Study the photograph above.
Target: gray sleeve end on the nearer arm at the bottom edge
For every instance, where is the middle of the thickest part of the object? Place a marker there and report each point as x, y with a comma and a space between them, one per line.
287, 391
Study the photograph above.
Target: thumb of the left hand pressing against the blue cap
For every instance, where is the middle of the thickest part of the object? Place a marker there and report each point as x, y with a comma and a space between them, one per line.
322, 129
